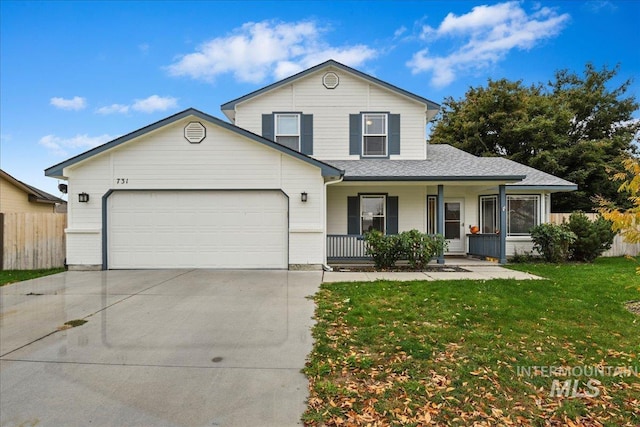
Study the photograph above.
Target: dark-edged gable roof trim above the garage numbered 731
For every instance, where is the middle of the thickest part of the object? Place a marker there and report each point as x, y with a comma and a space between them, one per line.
57, 170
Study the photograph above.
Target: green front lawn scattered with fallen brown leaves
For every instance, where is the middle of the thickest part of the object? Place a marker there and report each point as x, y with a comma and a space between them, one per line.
497, 352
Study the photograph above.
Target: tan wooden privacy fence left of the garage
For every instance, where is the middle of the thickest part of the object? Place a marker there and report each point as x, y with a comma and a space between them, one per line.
32, 241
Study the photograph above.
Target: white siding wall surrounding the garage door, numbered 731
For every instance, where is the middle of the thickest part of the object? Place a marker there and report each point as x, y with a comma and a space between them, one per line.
163, 159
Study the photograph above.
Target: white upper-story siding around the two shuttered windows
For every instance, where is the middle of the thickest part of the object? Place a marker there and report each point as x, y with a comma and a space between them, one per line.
331, 109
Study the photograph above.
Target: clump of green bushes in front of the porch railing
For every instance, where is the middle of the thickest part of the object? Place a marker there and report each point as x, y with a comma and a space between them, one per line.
413, 246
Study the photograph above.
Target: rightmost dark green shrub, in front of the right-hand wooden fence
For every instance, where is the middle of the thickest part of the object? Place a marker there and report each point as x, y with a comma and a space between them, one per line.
592, 237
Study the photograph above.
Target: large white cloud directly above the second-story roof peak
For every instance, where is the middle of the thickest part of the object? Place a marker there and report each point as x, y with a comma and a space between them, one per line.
268, 49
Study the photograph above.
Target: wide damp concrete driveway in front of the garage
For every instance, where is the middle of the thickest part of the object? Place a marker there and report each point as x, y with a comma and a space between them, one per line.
160, 348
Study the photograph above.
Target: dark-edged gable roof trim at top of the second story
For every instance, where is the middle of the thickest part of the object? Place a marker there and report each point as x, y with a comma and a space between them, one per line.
230, 106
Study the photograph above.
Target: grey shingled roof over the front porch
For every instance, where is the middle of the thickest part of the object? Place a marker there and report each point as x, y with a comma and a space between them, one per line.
447, 163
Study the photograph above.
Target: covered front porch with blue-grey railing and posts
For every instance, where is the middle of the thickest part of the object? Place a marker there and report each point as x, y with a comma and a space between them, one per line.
448, 210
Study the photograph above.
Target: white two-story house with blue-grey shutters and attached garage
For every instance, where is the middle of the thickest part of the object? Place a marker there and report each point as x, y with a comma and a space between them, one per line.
304, 168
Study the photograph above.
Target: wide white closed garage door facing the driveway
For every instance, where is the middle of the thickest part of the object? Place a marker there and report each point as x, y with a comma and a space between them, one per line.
197, 229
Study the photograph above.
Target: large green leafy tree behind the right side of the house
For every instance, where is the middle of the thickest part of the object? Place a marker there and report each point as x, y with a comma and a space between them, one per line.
577, 127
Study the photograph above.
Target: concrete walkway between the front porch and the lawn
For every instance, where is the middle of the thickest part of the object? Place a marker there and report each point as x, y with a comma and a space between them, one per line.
476, 270
